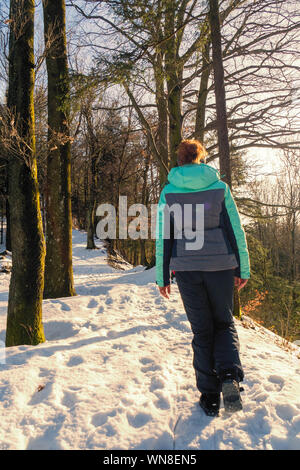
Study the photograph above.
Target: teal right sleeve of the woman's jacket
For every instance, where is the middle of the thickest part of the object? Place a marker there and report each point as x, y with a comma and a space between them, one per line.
236, 235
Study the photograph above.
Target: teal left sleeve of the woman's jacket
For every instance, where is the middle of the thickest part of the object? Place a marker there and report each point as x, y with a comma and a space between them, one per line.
164, 242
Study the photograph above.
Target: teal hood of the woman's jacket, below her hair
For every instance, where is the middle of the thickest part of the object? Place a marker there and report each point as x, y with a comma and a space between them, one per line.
193, 176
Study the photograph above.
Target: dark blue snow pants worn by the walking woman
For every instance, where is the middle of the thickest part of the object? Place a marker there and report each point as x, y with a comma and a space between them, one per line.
208, 301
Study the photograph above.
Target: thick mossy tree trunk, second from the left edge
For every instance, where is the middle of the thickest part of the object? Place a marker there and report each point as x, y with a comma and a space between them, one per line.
59, 271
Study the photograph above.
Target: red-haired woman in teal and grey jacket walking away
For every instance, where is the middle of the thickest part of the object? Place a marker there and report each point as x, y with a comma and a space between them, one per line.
201, 238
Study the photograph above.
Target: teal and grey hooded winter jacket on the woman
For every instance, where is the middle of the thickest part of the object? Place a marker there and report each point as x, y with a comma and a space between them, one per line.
196, 193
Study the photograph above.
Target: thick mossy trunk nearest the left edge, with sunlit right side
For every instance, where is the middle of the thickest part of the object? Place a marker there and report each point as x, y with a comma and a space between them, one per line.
24, 316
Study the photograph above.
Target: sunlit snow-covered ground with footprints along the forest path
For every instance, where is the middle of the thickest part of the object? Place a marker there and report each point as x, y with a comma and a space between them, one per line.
116, 373
